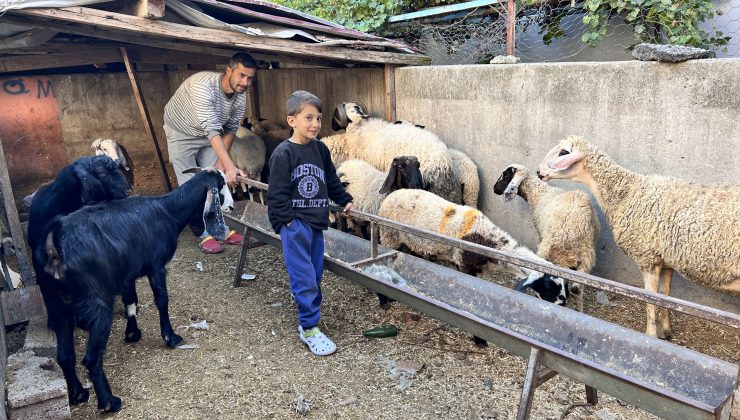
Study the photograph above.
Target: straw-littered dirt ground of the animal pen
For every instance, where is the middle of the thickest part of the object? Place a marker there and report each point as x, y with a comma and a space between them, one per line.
251, 364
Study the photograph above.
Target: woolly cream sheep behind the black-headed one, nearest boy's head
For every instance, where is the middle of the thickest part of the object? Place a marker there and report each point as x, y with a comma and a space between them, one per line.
377, 142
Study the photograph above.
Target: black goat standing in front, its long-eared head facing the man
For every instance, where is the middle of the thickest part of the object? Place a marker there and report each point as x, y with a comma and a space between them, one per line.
99, 251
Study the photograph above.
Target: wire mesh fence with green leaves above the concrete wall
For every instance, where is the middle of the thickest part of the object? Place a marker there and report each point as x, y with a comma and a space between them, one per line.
550, 31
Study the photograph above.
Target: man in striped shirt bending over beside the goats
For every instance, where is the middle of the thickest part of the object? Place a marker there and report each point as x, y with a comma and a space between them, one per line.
200, 121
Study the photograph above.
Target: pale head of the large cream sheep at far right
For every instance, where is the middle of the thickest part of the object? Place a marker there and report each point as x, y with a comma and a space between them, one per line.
564, 161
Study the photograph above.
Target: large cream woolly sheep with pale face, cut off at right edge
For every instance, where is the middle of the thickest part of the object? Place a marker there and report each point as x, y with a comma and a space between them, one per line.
662, 223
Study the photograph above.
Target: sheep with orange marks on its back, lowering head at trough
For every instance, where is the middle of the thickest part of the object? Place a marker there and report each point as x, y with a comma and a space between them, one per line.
425, 210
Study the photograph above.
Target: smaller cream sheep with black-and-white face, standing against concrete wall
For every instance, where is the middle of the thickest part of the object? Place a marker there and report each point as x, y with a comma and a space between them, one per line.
565, 220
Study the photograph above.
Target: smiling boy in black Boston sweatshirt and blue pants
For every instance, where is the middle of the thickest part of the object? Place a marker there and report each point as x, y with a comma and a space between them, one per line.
302, 180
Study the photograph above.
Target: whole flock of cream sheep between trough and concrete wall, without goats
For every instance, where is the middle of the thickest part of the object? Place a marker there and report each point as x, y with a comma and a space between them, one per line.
661, 223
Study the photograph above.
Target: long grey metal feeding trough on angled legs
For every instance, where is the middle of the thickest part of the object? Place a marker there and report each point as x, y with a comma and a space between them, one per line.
657, 376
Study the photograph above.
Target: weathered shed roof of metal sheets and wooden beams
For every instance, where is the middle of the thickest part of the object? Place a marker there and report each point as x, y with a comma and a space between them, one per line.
215, 27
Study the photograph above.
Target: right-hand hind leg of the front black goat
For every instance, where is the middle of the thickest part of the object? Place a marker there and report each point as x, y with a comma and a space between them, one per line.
93, 360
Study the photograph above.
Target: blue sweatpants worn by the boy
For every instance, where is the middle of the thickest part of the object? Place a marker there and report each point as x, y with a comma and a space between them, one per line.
303, 251
